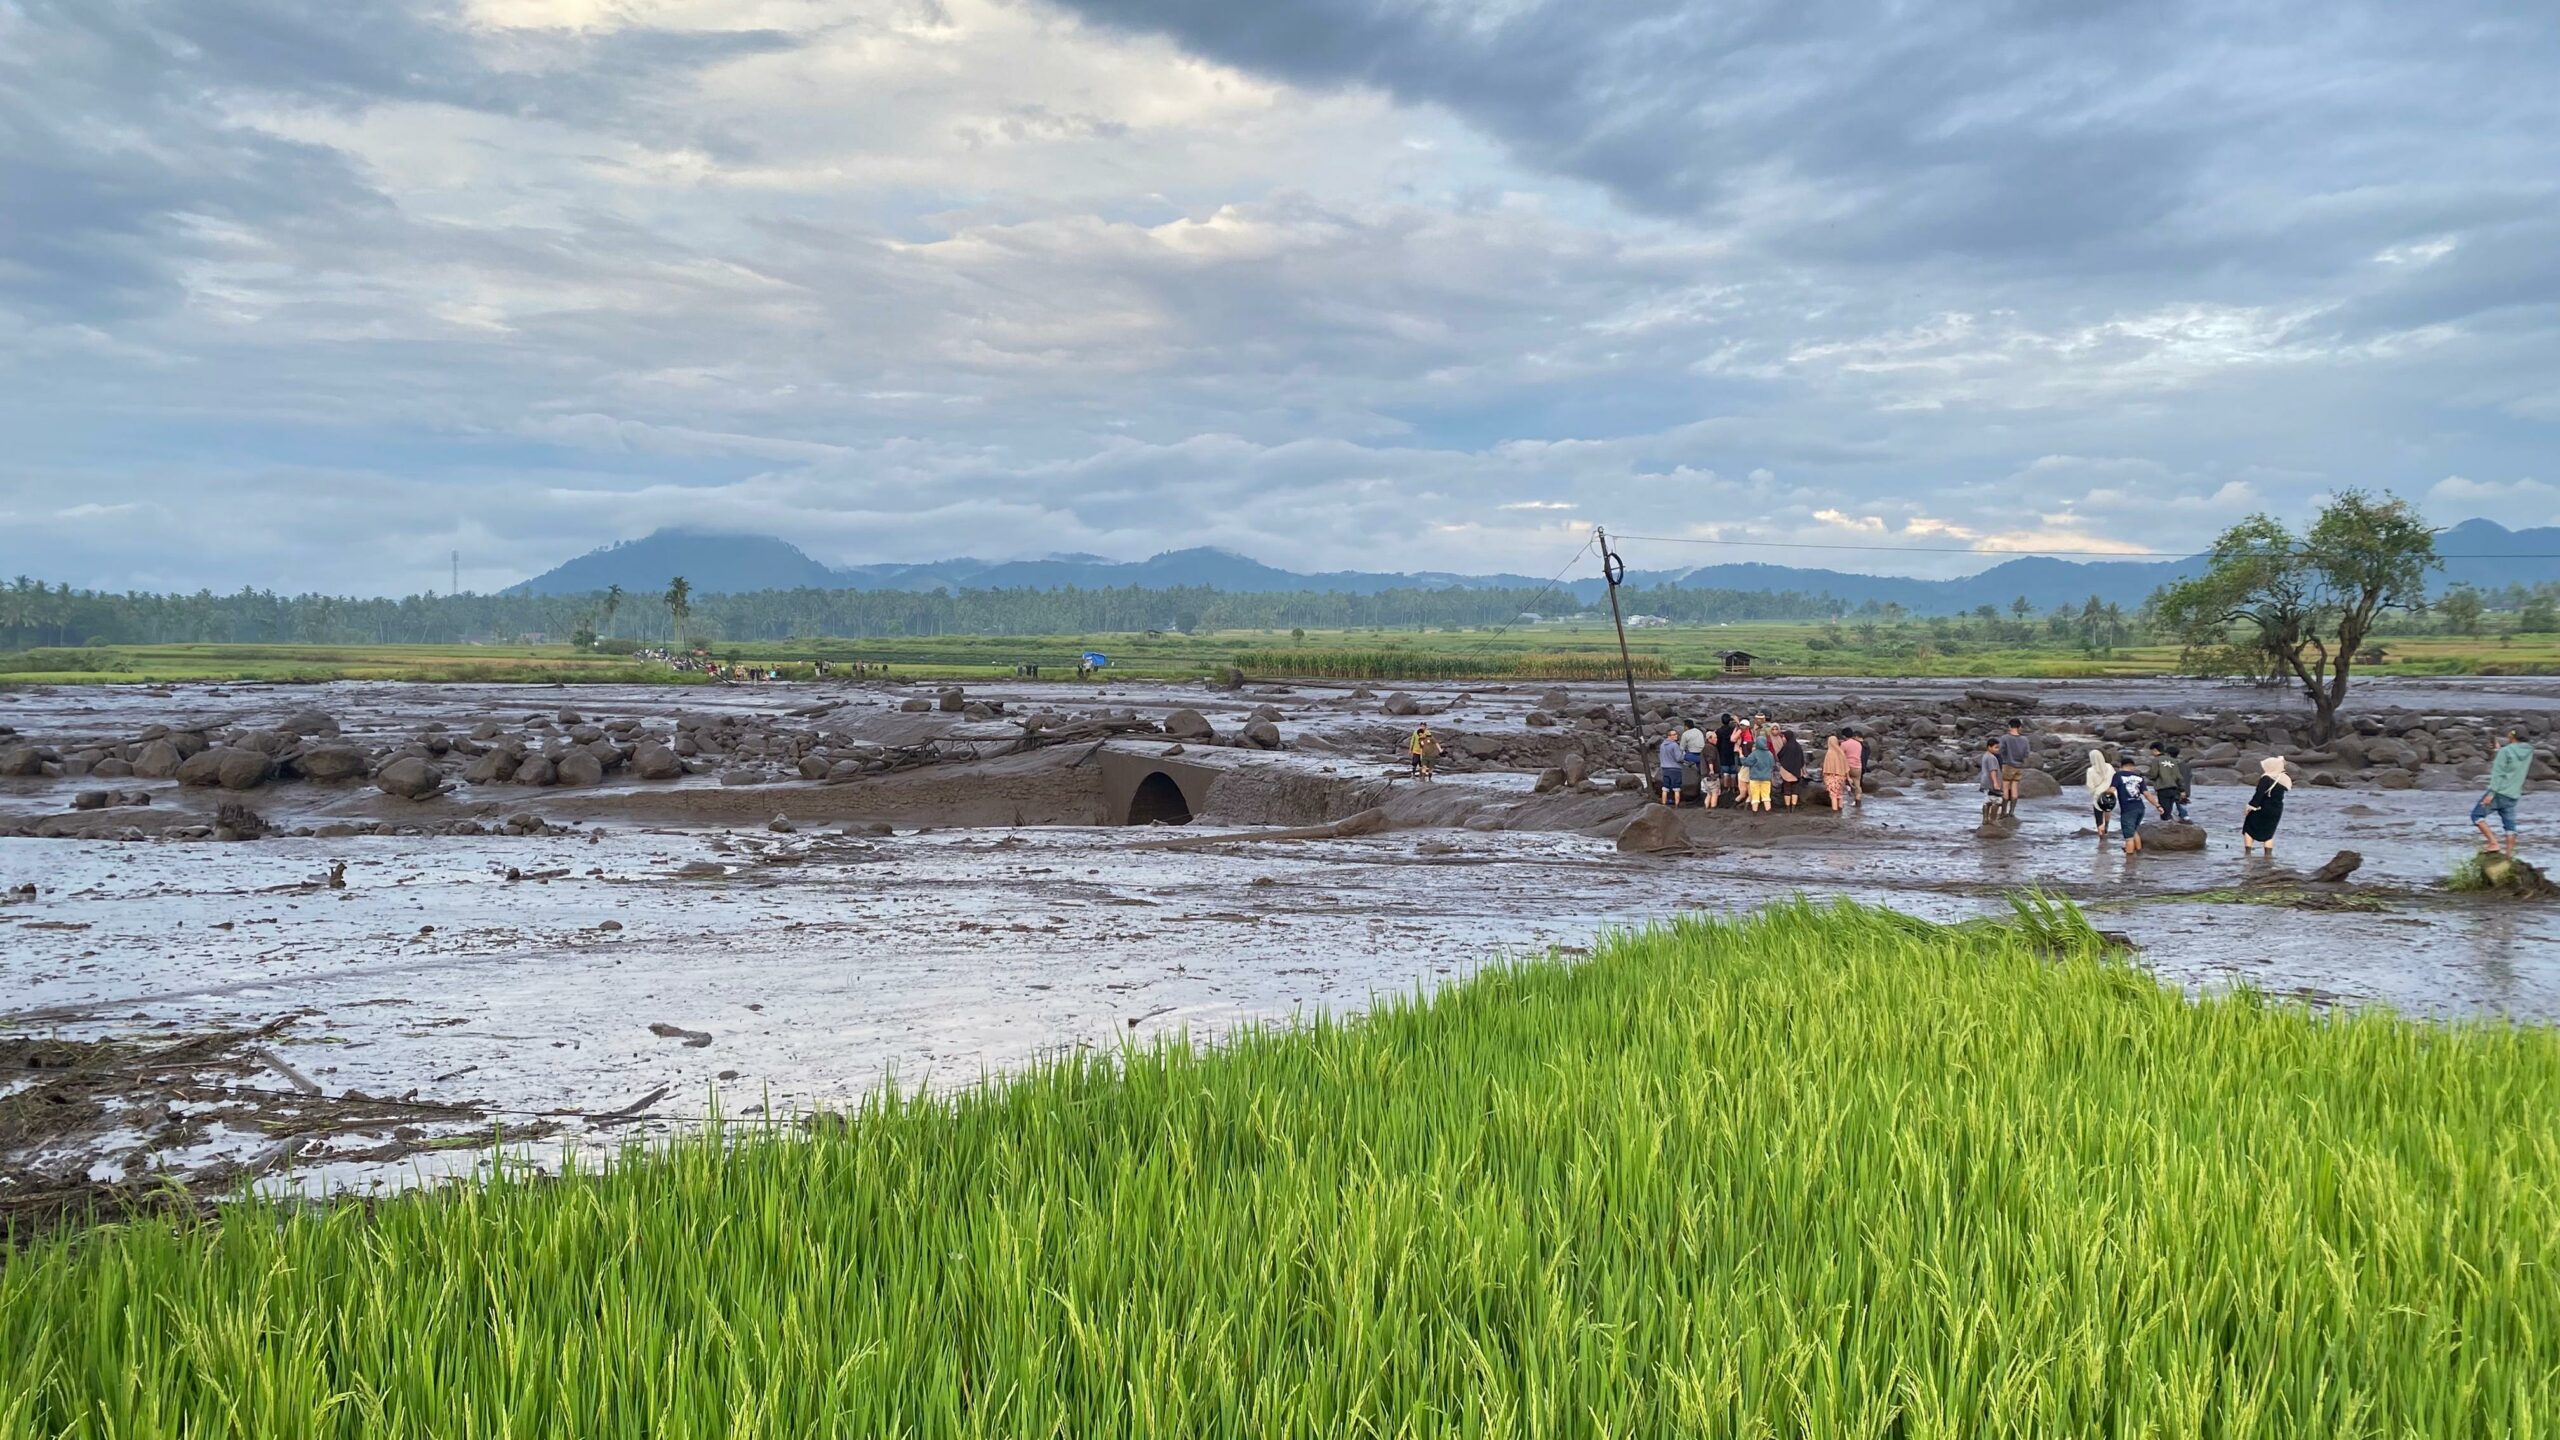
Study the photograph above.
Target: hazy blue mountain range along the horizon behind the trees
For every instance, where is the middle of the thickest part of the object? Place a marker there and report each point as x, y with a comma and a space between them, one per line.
2479, 552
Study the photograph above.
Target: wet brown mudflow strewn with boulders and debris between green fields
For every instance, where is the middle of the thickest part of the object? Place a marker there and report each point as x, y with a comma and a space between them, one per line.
372, 988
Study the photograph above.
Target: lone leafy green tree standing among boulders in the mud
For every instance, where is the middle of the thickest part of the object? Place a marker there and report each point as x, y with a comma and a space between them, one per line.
2308, 601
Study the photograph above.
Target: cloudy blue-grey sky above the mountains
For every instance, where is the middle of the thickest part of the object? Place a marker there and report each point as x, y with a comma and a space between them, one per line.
311, 293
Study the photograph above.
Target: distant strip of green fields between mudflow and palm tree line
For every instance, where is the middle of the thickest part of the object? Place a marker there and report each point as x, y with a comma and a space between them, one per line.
1545, 652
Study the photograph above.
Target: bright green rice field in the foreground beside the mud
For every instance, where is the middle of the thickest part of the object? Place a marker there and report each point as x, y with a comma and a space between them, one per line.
1821, 1172
